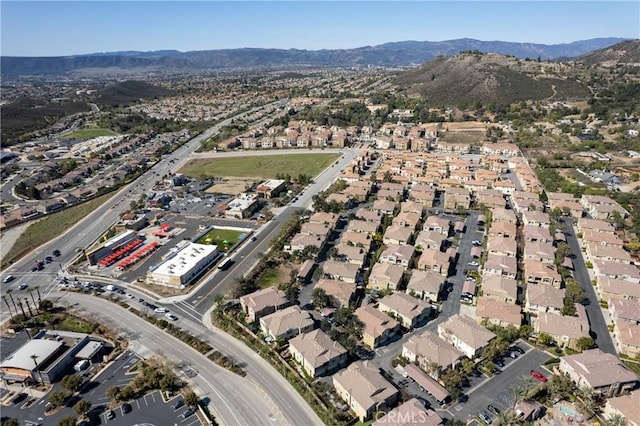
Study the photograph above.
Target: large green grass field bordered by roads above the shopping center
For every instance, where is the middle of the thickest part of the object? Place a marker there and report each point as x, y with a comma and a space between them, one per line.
266, 167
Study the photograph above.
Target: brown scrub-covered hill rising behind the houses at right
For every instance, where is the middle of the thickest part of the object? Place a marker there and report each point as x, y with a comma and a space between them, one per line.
477, 77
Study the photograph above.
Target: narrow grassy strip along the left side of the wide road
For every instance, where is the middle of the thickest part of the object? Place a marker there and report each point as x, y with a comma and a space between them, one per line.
50, 227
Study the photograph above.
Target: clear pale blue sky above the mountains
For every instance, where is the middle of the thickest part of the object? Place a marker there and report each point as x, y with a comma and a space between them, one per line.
58, 28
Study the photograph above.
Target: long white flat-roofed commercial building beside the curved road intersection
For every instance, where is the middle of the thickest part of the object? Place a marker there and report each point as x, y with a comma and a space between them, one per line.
186, 264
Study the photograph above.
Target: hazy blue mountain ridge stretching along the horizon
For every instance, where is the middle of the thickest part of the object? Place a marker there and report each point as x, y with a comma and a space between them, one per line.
404, 53
